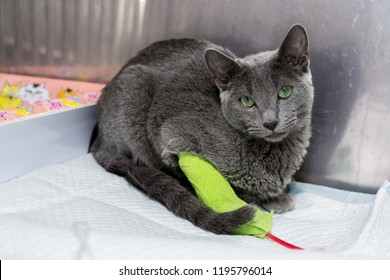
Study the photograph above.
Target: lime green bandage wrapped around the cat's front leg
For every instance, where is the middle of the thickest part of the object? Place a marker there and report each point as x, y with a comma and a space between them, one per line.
213, 189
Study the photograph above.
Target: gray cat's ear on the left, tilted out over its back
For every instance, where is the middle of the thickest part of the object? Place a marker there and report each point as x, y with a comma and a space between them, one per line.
221, 66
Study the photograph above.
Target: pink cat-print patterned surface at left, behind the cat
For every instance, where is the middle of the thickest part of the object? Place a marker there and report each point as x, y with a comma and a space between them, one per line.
22, 96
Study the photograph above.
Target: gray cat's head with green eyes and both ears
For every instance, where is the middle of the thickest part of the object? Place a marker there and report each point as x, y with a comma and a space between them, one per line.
267, 95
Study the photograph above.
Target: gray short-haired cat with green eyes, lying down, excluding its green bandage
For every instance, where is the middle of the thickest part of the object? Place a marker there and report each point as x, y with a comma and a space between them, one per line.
250, 117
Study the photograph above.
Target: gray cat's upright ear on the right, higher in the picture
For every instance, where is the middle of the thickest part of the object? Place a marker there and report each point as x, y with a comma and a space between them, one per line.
294, 50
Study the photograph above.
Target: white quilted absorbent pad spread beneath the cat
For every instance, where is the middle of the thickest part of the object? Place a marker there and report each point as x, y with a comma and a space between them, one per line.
76, 210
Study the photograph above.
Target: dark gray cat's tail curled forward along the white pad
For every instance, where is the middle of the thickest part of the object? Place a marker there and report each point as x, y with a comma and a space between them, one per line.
175, 196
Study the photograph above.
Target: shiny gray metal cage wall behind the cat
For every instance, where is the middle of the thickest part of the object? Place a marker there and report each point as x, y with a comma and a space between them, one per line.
350, 43
